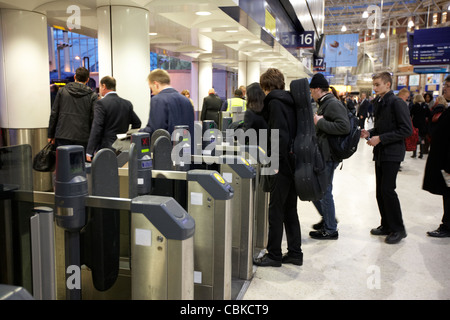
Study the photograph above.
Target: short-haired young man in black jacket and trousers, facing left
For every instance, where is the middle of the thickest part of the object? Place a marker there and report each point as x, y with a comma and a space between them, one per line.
392, 125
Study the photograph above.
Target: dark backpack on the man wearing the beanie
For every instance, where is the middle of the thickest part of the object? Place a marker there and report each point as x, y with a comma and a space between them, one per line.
344, 146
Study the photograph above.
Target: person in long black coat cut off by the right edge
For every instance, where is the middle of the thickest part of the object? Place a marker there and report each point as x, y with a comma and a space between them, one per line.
439, 159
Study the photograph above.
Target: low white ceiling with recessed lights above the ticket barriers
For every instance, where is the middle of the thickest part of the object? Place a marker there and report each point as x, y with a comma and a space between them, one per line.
175, 28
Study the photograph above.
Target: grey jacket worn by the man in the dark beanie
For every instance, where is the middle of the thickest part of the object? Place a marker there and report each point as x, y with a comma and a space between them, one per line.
335, 122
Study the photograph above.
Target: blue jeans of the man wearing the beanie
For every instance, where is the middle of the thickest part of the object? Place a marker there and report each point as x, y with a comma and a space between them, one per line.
325, 206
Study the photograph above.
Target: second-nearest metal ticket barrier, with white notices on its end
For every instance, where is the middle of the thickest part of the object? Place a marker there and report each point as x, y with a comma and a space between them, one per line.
209, 204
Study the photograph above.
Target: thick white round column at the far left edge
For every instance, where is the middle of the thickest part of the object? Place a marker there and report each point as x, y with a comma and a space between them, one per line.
25, 83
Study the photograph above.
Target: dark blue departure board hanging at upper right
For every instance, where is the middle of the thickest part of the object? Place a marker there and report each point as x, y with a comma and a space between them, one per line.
431, 46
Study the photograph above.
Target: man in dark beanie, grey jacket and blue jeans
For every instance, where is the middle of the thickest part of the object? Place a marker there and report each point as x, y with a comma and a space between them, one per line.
331, 119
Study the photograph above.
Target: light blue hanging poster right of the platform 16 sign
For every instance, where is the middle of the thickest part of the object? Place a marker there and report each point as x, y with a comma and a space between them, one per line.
341, 50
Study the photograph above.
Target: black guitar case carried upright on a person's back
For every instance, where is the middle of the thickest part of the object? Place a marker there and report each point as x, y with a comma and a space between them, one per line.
310, 175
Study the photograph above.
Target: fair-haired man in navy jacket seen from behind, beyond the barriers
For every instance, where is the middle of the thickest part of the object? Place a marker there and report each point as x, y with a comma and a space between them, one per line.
168, 107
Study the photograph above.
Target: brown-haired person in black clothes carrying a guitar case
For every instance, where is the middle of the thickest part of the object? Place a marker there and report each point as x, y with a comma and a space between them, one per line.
283, 197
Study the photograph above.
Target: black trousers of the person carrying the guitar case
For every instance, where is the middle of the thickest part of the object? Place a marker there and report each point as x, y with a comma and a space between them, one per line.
283, 211
